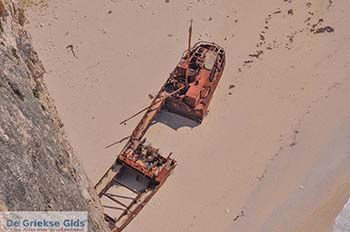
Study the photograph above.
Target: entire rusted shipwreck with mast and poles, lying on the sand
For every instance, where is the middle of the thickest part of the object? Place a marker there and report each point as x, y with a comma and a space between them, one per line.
140, 169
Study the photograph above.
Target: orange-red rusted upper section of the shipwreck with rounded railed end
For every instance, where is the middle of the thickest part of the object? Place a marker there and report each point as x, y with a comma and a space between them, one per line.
198, 73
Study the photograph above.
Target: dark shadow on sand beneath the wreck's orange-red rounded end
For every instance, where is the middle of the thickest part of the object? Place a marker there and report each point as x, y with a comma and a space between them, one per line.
174, 121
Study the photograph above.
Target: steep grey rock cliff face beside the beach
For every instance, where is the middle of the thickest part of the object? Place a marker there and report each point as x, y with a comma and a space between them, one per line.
38, 170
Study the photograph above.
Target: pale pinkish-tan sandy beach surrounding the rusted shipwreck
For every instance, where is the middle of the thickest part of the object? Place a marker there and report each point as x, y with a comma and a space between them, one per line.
273, 153
